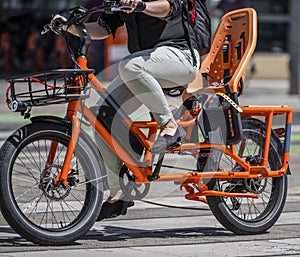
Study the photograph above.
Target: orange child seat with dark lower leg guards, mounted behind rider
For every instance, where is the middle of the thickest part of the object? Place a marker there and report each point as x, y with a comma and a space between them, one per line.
220, 78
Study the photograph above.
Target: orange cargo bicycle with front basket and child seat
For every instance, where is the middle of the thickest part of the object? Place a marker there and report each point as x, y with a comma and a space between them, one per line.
52, 174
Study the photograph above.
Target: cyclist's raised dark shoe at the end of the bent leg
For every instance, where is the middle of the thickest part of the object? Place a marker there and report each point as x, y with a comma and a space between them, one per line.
165, 142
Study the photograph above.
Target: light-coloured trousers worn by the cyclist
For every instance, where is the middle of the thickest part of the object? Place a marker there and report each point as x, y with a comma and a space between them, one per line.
142, 76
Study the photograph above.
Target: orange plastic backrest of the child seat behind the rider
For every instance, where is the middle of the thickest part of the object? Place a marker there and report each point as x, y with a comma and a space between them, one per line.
232, 47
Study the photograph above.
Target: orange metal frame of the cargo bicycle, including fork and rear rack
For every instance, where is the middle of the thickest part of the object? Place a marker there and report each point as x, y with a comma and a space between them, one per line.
142, 173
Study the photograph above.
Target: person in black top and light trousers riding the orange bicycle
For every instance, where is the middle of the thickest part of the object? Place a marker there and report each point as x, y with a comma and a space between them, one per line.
160, 58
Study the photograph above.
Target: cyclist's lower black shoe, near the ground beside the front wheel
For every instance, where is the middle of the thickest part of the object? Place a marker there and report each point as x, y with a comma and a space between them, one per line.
112, 210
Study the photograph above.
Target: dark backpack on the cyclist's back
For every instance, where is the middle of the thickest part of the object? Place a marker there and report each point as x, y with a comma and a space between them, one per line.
195, 12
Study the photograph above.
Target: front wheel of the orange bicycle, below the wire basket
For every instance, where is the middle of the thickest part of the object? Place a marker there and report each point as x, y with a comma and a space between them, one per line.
36, 209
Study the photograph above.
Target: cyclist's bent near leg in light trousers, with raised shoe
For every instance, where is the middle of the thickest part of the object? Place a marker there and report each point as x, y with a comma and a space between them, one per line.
146, 73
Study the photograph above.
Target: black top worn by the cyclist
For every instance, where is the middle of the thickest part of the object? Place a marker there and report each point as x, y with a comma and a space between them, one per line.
147, 32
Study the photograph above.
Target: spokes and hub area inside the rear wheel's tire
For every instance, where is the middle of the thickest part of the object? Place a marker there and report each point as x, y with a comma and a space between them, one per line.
250, 149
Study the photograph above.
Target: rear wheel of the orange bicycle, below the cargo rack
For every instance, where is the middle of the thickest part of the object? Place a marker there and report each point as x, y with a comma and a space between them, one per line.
248, 215
